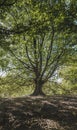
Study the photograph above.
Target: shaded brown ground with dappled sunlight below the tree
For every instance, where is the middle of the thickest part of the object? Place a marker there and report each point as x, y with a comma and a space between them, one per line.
38, 113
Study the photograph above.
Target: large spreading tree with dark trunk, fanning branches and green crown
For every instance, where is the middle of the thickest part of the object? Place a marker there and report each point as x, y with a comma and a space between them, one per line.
46, 40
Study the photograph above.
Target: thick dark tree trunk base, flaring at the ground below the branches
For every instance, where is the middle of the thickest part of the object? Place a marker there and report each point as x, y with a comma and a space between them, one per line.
38, 90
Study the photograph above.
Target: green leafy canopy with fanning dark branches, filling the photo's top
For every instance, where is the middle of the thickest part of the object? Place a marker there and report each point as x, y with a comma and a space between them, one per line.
37, 38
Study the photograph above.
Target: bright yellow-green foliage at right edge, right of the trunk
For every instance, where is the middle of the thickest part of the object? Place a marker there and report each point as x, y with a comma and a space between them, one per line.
69, 75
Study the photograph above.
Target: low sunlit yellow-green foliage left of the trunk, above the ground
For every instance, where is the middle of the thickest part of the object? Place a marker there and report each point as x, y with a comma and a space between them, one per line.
11, 88
